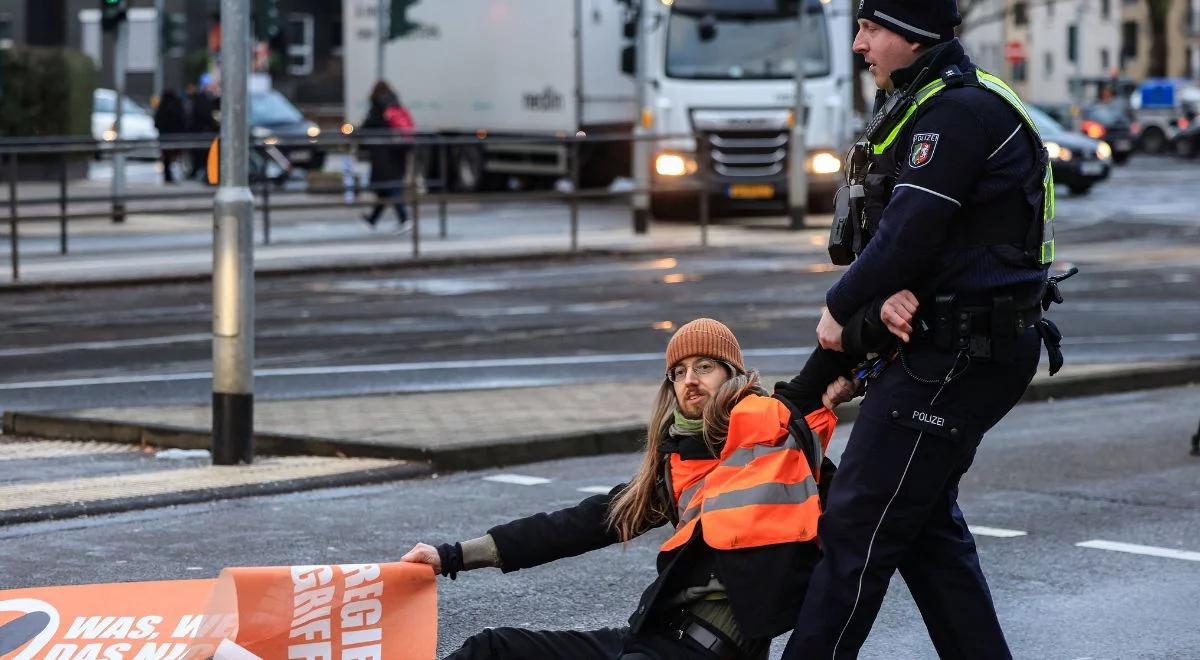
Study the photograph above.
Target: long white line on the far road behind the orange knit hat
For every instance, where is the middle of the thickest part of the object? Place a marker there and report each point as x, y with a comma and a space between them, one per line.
508, 363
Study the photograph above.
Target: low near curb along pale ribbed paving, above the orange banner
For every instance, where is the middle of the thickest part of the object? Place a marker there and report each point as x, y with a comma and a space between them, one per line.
121, 506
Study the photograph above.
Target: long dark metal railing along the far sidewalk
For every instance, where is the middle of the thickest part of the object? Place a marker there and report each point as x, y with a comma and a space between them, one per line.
415, 190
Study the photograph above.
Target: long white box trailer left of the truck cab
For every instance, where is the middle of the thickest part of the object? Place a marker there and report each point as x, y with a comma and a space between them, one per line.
496, 68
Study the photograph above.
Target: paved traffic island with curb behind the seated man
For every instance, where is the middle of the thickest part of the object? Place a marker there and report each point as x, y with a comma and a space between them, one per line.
344, 441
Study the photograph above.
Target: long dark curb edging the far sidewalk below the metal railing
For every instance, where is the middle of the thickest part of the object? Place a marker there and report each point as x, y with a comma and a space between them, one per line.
337, 269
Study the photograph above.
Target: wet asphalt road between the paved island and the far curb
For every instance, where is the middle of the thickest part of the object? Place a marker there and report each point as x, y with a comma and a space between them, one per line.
572, 321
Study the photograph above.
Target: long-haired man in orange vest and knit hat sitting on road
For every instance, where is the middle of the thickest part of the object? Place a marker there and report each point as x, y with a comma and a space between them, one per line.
737, 472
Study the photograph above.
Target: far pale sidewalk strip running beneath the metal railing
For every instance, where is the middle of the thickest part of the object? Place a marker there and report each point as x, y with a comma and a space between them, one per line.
173, 247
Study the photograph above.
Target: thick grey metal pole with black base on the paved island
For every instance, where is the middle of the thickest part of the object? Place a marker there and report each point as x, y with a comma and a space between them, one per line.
233, 259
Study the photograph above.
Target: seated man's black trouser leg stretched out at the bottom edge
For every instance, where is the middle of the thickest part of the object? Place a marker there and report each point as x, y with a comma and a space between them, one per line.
609, 644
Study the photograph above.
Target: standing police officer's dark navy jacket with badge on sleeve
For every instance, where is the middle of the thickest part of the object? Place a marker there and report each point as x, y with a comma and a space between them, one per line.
963, 159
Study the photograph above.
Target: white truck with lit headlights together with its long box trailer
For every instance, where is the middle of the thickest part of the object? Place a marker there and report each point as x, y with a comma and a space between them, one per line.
722, 70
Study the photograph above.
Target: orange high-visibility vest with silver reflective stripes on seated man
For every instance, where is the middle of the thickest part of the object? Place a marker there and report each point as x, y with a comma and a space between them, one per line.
763, 489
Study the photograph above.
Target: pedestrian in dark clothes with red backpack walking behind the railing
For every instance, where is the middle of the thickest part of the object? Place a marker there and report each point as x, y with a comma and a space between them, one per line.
389, 163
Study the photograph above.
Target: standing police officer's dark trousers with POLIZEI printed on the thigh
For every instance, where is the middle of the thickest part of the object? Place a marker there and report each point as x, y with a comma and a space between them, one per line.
895, 506
